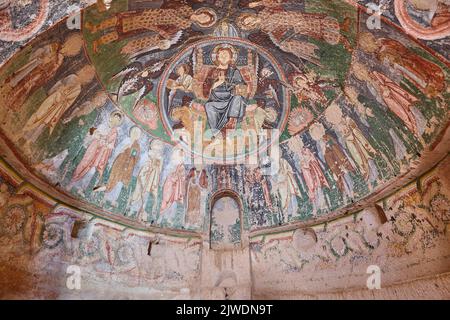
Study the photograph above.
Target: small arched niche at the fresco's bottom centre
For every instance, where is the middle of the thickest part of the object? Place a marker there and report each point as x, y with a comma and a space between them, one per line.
225, 221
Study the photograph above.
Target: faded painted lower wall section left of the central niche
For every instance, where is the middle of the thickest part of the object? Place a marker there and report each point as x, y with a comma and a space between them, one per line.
42, 239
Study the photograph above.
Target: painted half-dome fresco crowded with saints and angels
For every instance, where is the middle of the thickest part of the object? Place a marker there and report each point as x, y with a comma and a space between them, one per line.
132, 115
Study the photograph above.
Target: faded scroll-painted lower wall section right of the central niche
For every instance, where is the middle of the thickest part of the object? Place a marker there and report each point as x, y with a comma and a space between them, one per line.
406, 233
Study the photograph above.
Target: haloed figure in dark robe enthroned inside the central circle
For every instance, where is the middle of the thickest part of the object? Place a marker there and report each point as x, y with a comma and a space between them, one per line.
224, 107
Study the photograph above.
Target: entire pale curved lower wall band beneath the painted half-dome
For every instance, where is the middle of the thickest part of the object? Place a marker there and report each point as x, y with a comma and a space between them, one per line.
44, 244
